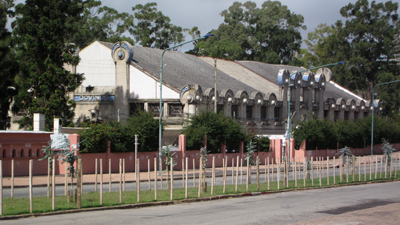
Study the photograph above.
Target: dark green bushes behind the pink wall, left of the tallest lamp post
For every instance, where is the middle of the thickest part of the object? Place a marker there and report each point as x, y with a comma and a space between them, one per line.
122, 137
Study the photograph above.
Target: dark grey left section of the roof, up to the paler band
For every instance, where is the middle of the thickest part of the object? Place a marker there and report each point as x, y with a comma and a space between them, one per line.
180, 69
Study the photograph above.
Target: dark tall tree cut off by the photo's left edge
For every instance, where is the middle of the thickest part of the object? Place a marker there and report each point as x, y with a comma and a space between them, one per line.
8, 67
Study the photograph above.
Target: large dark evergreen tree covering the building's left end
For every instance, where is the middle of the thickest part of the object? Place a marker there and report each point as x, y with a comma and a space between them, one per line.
40, 33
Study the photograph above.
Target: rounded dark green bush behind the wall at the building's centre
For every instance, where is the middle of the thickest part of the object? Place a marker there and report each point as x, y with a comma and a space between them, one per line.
218, 128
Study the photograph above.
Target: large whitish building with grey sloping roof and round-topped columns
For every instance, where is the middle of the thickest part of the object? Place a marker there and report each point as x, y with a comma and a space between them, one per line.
120, 78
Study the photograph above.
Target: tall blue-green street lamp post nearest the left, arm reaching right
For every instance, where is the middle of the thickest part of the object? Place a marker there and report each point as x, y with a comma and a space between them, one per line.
161, 108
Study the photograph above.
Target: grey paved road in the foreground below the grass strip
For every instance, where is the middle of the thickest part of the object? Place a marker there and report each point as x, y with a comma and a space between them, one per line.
362, 204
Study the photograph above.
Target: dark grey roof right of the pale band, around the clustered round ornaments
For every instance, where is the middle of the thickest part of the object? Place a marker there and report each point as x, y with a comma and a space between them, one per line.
270, 72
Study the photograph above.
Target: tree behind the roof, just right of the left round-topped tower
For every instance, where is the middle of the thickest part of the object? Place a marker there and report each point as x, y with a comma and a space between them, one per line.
154, 29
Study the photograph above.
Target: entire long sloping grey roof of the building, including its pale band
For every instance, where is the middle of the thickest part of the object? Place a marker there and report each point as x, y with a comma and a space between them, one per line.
180, 69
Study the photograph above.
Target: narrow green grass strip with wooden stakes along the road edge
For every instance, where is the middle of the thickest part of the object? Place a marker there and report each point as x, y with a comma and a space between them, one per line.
20, 206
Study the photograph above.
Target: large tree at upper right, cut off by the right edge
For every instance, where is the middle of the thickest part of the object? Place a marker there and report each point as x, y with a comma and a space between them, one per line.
367, 40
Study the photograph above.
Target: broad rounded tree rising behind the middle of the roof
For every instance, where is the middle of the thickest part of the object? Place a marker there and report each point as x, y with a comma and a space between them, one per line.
267, 34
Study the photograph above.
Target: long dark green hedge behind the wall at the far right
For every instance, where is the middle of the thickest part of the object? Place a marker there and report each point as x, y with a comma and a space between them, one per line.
324, 134
